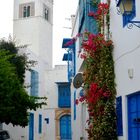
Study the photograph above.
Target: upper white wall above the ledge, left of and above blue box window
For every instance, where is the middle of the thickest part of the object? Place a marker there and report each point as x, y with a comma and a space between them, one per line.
58, 74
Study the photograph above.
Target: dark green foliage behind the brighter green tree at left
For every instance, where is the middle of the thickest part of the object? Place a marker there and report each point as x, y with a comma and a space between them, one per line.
20, 62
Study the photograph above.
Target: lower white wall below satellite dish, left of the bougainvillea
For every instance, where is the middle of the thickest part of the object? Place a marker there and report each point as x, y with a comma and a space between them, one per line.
79, 124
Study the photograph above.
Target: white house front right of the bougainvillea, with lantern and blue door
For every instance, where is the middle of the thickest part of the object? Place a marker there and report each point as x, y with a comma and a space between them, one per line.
126, 58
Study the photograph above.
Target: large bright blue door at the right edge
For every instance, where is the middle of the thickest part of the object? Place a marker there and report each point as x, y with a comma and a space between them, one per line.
134, 117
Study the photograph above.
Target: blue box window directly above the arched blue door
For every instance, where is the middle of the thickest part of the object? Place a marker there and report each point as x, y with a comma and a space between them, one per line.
64, 96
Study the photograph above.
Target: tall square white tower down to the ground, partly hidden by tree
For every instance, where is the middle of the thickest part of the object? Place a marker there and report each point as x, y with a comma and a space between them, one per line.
32, 26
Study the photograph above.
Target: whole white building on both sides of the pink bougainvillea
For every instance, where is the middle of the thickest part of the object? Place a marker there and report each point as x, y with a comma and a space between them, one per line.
126, 57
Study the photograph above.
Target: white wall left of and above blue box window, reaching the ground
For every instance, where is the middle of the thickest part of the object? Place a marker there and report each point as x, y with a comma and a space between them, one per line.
58, 74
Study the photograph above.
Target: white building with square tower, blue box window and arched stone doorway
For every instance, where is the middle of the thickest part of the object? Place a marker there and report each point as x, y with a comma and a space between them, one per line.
33, 26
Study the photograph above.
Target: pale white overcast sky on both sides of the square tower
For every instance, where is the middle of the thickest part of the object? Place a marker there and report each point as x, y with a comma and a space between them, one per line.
63, 9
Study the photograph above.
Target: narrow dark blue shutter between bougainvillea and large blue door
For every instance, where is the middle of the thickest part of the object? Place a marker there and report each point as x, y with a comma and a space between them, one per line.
119, 116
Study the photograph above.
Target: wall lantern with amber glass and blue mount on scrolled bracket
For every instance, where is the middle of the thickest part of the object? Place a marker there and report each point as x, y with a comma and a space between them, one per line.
127, 9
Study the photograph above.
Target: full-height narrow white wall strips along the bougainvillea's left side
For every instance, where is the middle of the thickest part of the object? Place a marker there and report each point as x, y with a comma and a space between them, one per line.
78, 125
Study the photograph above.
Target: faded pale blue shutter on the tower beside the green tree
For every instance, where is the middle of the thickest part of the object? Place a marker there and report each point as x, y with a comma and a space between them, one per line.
34, 83
